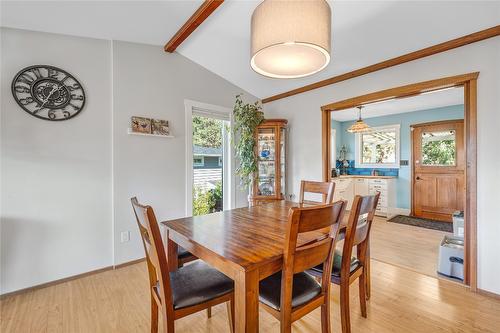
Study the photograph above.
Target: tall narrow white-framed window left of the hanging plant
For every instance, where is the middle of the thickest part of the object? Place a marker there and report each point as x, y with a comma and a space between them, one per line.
209, 174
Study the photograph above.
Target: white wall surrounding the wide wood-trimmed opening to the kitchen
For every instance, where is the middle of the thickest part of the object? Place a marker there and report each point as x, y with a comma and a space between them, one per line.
303, 112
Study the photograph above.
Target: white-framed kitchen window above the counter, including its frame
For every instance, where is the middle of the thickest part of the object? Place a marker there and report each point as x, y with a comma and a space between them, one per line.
378, 148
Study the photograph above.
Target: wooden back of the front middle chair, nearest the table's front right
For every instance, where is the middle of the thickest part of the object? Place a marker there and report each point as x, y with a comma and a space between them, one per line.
325, 220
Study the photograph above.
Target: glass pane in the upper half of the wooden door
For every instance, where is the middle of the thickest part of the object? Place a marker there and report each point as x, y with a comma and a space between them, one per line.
439, 148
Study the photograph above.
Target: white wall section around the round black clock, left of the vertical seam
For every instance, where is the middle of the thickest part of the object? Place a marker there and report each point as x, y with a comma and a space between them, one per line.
56, 176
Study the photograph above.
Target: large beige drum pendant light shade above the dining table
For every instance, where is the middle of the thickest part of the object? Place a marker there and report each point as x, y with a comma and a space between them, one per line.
291, 38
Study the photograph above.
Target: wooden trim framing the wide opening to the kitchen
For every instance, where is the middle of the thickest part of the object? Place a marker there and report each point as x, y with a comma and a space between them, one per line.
469, 83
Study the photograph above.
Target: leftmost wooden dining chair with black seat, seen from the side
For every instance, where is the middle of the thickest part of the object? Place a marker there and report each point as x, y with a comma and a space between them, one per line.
189, 289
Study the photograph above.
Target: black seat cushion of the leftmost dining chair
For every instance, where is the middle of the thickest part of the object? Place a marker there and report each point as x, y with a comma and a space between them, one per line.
198, 283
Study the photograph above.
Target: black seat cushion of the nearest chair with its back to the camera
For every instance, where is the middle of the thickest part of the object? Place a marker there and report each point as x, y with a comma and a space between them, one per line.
305, 288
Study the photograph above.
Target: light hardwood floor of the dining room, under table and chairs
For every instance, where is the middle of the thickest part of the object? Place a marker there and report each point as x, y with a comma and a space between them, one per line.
118, 301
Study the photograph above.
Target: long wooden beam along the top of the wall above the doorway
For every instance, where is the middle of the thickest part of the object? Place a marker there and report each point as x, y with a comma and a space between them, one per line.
451, 44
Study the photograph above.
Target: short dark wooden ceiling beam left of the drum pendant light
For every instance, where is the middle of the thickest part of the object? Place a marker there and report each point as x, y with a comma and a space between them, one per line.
201, 14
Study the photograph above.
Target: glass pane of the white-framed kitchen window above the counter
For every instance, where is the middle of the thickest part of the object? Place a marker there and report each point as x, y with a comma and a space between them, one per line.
379, 147
